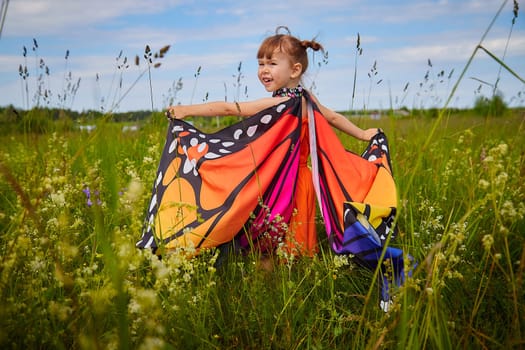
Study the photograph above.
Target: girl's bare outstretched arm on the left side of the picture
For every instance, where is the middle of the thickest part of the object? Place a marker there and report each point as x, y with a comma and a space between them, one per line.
213, 109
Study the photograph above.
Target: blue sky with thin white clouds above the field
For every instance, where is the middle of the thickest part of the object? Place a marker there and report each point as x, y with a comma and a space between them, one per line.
399, 36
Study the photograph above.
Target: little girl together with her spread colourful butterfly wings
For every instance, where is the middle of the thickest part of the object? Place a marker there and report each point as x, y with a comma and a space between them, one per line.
250, 184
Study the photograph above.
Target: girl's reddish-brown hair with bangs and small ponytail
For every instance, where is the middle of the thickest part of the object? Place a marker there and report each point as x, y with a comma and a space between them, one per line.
290, 45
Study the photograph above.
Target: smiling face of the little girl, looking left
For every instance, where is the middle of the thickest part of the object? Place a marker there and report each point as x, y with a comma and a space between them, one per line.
278, 72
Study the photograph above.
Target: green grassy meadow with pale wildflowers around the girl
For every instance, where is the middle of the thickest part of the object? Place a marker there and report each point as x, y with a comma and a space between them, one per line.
72, 206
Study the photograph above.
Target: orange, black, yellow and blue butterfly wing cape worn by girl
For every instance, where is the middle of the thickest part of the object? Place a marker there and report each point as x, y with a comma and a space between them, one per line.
237, 183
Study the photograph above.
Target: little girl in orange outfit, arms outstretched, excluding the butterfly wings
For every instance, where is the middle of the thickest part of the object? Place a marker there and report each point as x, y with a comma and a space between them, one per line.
283, 60
